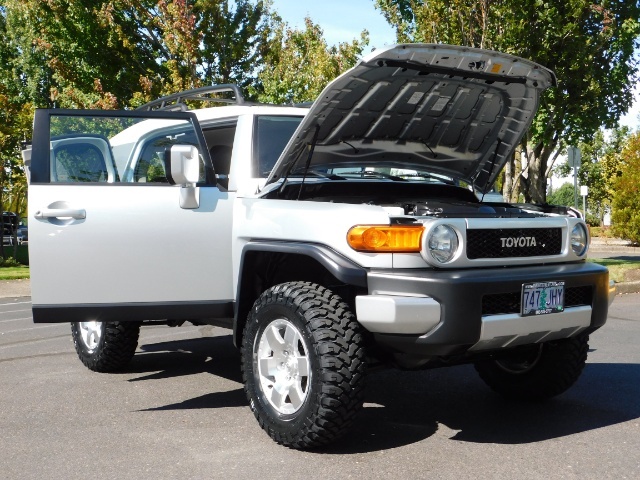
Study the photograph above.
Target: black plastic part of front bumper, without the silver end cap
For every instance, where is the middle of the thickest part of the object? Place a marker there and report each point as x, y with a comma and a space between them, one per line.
460, 294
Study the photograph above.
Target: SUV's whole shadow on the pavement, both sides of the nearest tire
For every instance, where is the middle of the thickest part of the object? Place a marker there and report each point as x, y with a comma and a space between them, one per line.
402, 408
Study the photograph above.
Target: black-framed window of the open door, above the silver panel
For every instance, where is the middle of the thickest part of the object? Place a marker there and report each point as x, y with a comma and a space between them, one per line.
115, 147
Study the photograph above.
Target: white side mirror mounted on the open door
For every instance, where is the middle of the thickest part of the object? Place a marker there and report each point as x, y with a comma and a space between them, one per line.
183, 168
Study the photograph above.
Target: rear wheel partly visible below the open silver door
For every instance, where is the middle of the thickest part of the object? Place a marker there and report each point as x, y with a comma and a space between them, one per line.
105, 346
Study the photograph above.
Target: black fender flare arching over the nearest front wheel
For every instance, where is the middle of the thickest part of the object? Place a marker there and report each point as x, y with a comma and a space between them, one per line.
261, 267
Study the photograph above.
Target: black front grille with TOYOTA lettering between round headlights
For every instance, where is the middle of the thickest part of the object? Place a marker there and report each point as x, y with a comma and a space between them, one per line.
513, 242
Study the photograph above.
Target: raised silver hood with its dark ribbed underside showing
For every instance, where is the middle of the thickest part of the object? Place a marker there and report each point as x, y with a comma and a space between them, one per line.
450, 110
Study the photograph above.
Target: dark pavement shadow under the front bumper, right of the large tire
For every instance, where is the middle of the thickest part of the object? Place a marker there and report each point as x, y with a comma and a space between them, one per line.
454, 402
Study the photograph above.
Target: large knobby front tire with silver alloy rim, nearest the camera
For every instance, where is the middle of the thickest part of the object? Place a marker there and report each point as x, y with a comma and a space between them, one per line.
303, 364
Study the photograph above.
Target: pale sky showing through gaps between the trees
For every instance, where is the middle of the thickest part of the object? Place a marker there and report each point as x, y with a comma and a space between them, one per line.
343, 20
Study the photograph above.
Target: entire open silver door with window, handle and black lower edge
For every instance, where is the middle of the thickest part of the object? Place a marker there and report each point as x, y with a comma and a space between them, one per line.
111, 235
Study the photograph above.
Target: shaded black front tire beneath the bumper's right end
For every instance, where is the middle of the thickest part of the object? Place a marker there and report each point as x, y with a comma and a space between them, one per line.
538, 373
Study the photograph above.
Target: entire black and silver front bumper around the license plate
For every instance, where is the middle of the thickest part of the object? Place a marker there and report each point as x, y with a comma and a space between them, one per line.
438, 312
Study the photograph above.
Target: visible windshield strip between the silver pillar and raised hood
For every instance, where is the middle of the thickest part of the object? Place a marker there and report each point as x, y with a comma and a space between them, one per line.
272, 133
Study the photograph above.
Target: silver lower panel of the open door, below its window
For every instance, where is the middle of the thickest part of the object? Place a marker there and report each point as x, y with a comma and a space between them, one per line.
135, 245
